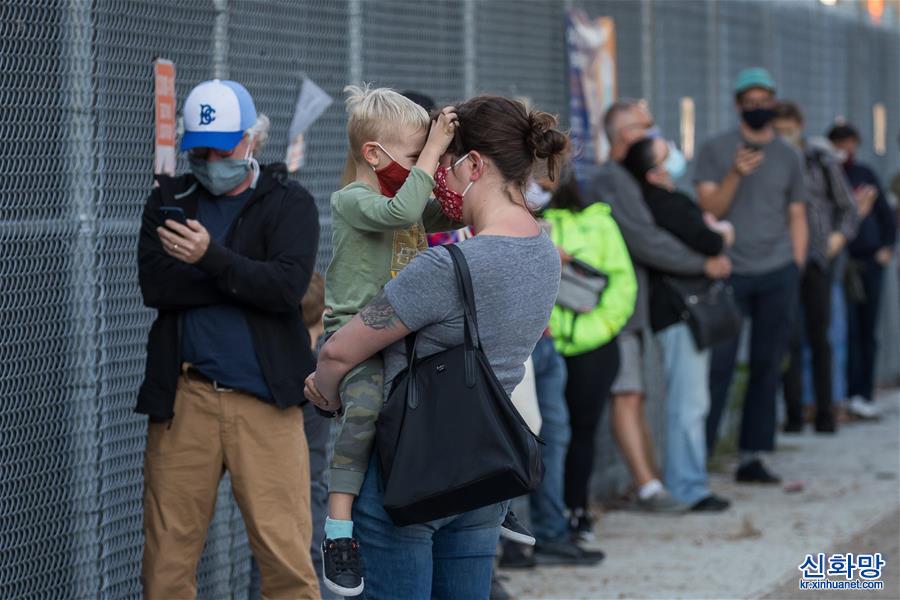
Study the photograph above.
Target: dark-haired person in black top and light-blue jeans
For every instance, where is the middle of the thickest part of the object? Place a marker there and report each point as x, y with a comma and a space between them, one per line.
686, 367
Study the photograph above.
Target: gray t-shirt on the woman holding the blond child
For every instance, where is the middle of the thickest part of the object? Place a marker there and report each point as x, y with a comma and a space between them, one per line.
515, 281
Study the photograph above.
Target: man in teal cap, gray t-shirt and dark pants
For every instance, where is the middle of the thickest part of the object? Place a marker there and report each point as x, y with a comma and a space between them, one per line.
754, 179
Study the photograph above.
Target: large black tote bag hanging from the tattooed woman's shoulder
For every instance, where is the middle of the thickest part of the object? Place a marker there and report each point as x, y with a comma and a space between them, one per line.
449, 439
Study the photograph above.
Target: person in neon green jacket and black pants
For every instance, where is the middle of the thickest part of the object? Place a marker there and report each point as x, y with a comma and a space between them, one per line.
587, 340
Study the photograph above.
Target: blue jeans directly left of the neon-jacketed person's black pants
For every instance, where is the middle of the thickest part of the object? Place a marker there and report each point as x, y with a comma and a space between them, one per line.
548, 517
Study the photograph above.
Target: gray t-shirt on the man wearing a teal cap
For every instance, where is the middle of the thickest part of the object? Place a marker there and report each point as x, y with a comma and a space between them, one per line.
759, 211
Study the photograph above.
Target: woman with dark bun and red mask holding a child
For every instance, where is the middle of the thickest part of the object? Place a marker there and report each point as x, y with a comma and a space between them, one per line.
481, 184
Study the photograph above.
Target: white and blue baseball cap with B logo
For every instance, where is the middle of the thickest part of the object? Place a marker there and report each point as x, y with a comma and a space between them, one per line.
216, 115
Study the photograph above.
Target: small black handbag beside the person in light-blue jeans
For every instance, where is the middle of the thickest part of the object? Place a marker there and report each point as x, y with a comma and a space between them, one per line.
709, 308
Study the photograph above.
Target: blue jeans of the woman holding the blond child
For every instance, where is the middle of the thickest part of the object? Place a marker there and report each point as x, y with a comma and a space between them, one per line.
450, 558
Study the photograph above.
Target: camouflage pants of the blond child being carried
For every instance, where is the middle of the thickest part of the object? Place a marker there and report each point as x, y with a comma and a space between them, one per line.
362, 394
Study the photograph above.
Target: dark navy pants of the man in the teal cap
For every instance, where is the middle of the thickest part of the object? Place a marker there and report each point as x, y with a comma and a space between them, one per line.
769, 301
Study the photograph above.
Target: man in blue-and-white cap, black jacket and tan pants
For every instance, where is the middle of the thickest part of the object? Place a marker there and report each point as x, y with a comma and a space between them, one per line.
228, 352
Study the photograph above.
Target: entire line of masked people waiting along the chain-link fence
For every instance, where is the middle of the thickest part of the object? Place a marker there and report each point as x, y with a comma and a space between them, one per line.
246, 332
